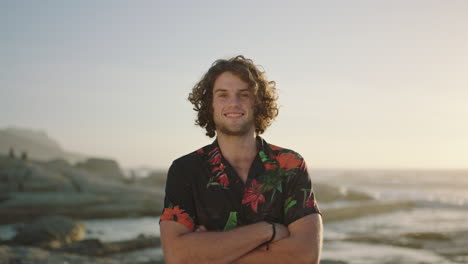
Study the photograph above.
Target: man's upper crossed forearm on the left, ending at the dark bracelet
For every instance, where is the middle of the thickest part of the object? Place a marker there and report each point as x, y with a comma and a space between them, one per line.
216, 247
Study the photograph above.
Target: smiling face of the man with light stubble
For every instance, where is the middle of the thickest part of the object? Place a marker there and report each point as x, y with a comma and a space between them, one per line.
233, 103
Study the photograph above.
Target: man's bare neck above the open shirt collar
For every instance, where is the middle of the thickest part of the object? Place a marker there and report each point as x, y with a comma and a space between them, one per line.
238, 149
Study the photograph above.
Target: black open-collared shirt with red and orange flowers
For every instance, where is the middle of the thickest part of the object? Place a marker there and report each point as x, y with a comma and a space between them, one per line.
202, 188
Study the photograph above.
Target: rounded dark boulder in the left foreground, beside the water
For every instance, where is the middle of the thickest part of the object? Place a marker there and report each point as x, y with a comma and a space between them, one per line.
49, 232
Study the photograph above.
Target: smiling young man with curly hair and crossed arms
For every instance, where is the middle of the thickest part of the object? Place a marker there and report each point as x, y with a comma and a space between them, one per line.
240, 199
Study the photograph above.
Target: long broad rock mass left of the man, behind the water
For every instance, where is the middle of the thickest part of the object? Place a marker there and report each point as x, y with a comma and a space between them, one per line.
32, 189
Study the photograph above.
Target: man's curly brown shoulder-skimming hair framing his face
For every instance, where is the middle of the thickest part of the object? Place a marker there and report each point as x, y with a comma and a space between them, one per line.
265, 107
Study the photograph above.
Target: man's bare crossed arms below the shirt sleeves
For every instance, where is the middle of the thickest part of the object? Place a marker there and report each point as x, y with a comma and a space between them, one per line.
302, 240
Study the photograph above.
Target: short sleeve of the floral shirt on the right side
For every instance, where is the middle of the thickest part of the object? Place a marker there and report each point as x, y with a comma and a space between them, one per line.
299, 199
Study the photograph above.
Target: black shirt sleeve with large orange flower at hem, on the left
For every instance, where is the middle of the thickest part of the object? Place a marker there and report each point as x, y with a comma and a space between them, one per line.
178, 200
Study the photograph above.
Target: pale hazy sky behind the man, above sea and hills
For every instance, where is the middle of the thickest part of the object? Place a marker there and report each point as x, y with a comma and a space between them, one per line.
362, 84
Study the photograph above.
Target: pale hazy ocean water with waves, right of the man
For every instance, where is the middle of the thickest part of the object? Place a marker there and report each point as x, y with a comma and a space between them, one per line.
440, 200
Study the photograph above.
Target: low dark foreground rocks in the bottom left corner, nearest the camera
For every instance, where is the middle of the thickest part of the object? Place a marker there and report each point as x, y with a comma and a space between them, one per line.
60, 239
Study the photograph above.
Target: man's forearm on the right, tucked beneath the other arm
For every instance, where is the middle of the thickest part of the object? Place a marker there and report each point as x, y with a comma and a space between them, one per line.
283, 251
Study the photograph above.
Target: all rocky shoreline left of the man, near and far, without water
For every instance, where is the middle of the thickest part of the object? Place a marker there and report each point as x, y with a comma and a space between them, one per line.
44, 199
